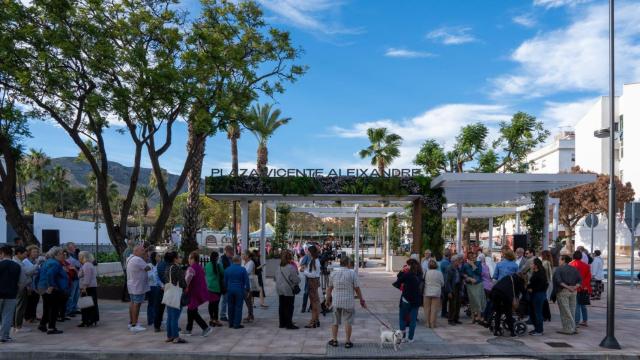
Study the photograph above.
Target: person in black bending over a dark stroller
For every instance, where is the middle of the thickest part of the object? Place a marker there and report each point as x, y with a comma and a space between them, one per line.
502, 295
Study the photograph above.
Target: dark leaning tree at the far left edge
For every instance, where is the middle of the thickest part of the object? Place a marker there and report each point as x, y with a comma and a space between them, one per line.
13, 129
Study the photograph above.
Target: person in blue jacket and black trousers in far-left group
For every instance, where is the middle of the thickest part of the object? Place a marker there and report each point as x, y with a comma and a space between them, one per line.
52, 283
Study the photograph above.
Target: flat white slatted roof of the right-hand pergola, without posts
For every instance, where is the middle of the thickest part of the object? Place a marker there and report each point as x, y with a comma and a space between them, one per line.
482, 188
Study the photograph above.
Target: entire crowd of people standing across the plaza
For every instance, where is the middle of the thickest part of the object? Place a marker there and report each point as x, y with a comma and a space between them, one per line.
521, 282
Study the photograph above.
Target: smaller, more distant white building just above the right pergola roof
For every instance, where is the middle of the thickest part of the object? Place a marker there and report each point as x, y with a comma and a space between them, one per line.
558, 156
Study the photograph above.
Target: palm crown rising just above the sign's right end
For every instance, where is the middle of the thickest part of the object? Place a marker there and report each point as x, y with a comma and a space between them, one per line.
384, 148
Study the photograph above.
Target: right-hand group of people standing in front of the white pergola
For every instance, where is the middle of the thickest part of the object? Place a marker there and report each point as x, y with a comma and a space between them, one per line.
521, 282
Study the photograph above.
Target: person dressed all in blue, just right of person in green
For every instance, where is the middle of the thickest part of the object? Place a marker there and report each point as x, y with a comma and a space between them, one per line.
236, 280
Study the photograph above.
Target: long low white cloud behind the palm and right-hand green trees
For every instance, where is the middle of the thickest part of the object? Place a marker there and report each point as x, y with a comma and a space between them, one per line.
441, 123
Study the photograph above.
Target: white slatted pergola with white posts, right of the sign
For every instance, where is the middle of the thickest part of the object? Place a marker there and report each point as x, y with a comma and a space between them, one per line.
506, 190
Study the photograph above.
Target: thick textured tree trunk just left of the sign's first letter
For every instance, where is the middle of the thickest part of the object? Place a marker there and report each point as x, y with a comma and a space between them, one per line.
192, 208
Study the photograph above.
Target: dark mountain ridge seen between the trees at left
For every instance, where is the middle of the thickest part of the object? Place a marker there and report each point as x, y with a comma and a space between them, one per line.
120, 175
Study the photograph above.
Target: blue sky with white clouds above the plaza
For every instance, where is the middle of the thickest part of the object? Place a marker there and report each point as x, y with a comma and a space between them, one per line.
421, 68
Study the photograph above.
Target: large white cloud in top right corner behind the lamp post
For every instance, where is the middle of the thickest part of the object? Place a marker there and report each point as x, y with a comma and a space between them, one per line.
575, 58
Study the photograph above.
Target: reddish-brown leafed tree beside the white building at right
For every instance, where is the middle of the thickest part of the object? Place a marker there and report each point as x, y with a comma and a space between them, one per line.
580, 201
